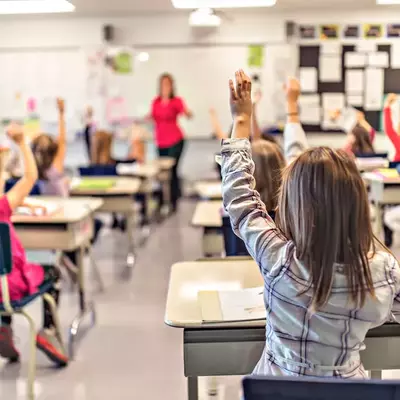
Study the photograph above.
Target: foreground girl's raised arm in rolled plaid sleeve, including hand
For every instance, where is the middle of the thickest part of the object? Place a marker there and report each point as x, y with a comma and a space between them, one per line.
247, 212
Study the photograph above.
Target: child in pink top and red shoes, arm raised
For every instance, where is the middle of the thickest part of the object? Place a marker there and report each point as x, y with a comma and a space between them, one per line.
25, 278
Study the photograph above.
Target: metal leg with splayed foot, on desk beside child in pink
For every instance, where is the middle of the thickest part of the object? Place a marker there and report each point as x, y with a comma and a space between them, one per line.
85, 308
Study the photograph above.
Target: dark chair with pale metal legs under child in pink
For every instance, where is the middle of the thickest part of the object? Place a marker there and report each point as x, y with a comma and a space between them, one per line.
8, 307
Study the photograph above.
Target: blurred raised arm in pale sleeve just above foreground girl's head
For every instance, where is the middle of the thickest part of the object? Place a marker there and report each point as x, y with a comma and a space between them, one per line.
294, 137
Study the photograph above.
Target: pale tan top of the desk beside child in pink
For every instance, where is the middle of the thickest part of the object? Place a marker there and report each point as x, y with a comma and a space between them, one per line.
71, 210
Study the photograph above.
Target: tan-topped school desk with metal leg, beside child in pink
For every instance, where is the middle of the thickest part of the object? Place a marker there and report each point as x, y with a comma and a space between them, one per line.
68, 229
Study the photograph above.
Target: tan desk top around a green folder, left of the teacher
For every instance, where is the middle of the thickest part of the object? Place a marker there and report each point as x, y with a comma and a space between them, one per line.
123, 186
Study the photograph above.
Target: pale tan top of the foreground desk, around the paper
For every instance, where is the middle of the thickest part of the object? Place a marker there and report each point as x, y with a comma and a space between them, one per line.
188, 278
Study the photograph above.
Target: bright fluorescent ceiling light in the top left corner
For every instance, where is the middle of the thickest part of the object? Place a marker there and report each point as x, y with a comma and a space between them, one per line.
35, 6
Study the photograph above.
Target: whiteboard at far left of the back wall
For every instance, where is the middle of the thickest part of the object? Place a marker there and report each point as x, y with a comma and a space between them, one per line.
43, 75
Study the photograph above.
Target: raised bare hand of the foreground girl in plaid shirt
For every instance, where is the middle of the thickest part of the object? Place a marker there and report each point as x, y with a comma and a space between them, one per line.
240, 96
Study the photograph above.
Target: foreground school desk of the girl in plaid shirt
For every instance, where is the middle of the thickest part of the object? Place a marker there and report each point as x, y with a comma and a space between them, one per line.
222, 349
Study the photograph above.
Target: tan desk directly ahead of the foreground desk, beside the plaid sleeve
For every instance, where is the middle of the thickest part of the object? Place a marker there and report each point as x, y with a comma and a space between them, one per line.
207, 216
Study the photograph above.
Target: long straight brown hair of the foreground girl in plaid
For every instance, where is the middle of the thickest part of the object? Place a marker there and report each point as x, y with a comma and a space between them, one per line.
323, 208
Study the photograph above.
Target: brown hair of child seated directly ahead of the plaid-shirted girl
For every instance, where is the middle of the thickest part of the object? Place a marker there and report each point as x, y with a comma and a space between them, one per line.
269, 161
